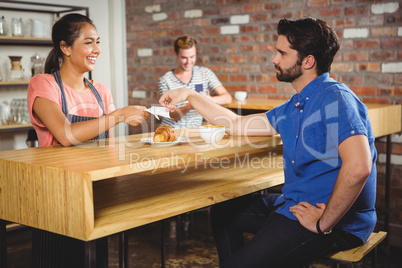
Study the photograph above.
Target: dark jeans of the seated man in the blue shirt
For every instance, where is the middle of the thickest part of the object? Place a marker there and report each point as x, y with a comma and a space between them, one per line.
278, 241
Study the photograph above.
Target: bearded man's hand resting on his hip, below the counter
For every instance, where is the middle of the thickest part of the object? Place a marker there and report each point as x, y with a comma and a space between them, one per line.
308, 214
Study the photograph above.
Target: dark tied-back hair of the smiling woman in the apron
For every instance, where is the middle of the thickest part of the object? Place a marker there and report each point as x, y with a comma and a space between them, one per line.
66, 29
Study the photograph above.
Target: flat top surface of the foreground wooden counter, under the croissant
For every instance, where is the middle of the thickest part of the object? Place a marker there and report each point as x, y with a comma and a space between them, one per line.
127, 155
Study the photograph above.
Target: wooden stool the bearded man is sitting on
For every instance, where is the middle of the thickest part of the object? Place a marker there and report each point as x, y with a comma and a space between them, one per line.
354, 255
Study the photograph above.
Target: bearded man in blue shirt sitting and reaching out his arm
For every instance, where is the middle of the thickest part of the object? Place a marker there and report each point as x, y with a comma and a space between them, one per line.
329, 157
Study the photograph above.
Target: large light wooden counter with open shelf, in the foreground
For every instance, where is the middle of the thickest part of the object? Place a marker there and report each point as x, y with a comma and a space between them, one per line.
101, 188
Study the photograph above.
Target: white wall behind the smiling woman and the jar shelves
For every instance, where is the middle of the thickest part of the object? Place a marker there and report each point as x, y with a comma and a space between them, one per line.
109, 19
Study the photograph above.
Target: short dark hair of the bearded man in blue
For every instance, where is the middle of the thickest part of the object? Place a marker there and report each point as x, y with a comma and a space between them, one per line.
311, 36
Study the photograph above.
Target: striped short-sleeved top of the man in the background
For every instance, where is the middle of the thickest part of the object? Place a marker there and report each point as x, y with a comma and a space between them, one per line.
203, 79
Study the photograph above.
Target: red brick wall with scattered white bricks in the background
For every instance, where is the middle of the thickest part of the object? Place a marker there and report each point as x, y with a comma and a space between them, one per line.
237, 41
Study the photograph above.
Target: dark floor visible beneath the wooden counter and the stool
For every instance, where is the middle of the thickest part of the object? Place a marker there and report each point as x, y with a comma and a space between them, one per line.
194, 248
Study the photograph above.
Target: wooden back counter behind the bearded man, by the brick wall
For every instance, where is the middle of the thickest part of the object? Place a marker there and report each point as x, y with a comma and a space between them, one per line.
385, 119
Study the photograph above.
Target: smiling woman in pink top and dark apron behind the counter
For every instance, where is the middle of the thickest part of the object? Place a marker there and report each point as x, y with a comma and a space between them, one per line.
66, 108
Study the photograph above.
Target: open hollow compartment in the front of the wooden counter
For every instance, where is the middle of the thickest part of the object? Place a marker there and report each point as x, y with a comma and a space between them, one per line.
136, 197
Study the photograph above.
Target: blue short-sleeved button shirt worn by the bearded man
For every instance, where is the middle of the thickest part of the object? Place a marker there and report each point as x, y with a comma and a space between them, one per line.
312, 124
